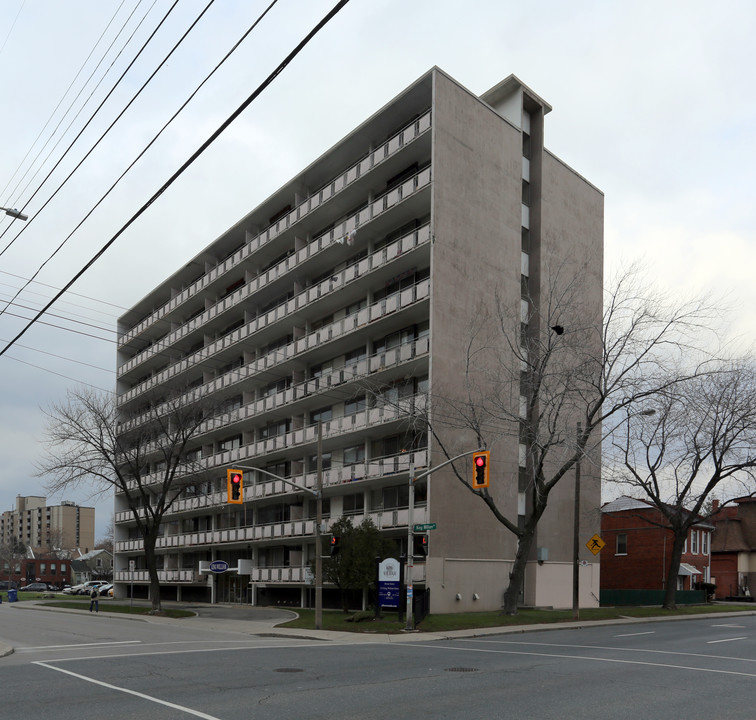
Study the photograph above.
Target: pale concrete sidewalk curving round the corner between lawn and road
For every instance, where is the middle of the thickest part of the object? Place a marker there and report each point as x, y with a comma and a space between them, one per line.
246, 620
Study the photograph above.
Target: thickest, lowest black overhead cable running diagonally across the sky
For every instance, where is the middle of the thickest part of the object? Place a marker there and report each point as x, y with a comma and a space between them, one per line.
328, 17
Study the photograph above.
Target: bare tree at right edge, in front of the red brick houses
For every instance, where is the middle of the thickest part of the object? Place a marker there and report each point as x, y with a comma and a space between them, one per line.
702, 435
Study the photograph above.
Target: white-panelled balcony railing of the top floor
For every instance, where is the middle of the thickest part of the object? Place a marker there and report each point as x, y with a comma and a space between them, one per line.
416, 128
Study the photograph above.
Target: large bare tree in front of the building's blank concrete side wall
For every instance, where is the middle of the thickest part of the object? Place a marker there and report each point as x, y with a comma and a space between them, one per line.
556, 381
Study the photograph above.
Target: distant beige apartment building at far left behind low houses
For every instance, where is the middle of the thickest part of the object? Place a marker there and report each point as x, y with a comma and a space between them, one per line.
42, 526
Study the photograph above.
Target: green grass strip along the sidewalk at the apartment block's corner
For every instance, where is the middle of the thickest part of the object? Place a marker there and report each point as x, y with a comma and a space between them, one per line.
337, 620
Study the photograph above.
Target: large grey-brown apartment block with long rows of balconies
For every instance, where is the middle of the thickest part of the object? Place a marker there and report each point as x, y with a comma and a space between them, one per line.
347, 297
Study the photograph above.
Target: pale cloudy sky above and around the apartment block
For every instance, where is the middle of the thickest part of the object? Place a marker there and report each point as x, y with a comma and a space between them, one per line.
652, 102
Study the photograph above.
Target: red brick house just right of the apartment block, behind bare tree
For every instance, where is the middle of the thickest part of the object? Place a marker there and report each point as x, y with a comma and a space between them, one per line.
639, 544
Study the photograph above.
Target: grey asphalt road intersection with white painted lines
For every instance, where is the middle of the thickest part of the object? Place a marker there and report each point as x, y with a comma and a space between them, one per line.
72, 666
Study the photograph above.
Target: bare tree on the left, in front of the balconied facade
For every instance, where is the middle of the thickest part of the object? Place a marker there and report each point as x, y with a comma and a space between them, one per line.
144, 458
